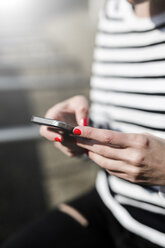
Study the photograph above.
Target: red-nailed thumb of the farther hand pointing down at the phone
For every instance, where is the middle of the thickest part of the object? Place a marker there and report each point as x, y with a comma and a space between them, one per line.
81, 112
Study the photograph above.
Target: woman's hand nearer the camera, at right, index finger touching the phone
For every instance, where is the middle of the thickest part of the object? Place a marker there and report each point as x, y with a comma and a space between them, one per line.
139, 158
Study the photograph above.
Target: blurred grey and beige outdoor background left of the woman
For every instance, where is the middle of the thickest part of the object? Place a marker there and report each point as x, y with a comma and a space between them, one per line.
46, 49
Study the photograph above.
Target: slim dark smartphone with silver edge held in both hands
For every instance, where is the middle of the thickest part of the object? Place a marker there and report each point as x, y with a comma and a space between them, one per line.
59, 126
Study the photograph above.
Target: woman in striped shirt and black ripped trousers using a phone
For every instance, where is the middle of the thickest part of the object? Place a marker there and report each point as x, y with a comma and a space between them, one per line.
127, 138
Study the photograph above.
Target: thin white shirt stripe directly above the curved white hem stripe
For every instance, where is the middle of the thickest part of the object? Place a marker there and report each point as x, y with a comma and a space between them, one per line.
138, 204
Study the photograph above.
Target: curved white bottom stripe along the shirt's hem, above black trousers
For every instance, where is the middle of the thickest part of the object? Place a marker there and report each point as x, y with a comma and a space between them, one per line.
122, 215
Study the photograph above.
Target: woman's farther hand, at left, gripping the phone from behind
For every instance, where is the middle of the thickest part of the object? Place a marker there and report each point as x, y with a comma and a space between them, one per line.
73, 111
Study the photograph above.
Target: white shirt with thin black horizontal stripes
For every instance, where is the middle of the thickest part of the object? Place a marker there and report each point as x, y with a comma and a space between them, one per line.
128, 94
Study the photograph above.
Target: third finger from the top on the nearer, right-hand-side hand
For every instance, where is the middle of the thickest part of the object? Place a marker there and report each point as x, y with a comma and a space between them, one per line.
108, 164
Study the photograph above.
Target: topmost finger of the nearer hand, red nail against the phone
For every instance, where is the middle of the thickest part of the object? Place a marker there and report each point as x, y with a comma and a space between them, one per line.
107, 136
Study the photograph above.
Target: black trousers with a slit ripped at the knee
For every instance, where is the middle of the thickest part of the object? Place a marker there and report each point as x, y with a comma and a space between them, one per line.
59, 230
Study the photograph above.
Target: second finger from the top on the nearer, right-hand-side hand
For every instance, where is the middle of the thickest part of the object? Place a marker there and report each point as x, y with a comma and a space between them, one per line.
106, 150
